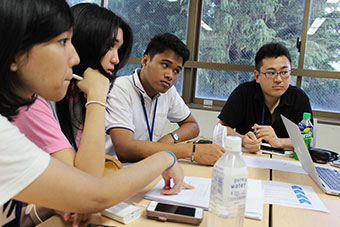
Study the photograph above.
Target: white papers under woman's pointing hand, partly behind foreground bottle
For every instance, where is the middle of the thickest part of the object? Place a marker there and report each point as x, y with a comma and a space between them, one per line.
199, 197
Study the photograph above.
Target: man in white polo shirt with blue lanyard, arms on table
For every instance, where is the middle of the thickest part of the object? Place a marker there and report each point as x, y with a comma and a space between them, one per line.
140, 104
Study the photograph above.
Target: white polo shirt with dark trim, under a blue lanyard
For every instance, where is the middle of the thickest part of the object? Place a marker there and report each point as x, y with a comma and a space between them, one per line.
125, 109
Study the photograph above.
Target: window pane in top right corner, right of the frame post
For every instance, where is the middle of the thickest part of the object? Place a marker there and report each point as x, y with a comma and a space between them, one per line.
323, 36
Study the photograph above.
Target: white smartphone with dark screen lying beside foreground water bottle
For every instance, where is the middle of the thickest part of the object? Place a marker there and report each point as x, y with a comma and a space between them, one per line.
175, 213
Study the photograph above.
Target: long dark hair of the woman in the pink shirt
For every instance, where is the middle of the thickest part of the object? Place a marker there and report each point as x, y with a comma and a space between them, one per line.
94, 33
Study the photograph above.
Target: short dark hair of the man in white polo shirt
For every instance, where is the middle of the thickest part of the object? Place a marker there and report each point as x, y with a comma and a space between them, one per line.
166, 41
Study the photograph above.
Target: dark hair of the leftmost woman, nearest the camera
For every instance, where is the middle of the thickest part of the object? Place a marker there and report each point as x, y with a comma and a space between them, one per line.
23, 24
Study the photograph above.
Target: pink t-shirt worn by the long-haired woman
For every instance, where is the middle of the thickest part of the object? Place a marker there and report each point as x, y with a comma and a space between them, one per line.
39, 125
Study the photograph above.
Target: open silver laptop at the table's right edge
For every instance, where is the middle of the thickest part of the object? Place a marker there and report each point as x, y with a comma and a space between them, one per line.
328, 179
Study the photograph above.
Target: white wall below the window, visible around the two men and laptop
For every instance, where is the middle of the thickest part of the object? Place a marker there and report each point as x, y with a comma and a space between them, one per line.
328, 136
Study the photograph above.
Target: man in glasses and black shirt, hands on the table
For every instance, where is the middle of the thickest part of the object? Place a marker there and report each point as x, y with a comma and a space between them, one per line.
253, 109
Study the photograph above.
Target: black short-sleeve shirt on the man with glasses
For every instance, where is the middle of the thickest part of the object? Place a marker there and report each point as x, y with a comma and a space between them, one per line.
244, 108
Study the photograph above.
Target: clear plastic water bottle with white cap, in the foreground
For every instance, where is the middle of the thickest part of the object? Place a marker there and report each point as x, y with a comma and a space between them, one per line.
228, 187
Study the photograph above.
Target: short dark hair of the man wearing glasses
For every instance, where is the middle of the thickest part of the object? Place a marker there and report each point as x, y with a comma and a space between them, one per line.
270, 50
